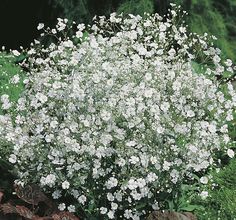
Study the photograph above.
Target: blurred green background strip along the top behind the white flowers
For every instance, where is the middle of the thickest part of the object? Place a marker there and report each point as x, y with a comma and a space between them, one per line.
216, 17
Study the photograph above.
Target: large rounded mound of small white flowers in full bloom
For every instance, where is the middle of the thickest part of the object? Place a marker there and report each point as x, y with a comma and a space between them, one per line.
116, 117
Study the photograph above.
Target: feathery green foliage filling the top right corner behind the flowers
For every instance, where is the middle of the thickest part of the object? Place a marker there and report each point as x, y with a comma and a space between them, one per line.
215, 18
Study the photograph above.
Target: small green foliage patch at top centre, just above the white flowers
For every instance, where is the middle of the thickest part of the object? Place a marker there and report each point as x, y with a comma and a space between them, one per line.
136, 7
